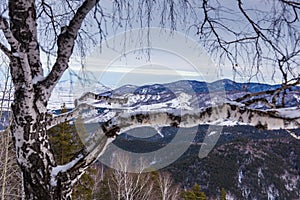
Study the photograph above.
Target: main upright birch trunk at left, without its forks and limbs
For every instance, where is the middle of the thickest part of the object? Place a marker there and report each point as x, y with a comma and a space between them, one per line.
29, 106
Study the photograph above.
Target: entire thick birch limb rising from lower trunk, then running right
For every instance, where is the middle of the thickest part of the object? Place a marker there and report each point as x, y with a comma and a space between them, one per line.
99, 140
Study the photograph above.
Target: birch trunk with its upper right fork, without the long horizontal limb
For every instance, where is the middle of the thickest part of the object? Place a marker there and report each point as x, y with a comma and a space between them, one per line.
41, 180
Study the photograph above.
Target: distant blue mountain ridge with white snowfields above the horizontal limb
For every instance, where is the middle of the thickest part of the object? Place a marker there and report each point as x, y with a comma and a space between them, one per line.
196, 94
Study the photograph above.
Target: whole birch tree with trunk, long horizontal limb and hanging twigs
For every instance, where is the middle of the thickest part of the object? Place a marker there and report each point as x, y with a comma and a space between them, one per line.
42, 177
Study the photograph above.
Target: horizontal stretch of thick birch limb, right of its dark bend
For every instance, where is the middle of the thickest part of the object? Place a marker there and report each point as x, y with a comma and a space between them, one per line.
271, 119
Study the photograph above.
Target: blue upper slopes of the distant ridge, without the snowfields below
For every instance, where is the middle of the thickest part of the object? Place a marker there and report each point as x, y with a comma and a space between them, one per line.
202, 90
